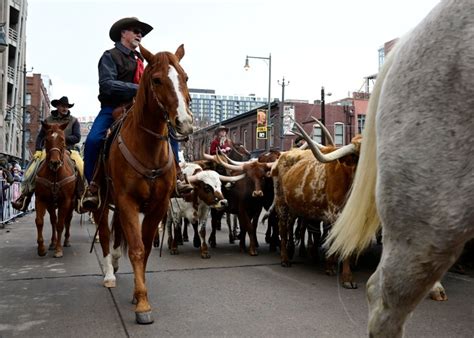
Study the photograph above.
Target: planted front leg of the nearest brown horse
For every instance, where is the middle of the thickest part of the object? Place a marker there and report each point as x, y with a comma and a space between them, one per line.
137, 252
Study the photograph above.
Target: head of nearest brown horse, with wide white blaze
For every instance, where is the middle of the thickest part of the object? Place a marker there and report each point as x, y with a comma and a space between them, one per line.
168, 82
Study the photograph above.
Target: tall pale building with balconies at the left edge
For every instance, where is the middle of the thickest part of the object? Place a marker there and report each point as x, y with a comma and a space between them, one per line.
13, 15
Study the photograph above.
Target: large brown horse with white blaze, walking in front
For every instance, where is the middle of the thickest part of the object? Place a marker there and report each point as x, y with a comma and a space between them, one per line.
141, 169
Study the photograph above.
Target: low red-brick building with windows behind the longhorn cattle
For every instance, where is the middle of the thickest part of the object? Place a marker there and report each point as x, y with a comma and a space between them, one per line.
340, 120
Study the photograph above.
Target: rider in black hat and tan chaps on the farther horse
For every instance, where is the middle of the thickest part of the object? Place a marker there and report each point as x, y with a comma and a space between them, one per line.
72, 134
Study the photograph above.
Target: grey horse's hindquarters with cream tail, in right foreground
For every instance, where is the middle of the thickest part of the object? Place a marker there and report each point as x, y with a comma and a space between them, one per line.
416, 172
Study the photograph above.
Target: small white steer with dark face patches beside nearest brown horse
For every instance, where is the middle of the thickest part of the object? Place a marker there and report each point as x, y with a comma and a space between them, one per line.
195, 206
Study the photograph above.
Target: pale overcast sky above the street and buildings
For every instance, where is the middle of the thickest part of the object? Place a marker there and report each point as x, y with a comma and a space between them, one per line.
312, 43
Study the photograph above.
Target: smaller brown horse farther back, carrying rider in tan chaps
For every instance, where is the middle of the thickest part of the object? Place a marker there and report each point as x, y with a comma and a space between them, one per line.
55, 189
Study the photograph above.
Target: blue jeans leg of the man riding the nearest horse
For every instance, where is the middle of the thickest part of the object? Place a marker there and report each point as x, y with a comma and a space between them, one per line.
94, 140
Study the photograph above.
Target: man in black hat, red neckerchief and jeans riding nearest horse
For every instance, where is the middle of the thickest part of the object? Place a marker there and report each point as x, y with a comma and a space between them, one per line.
120, 70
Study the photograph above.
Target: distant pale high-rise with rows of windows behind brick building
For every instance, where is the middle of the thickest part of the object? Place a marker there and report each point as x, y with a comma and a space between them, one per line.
209, 108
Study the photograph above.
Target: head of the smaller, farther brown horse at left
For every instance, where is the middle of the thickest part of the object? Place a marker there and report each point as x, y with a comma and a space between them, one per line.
54, 143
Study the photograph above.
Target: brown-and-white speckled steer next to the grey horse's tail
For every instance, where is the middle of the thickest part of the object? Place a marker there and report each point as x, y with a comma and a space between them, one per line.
315, 191
